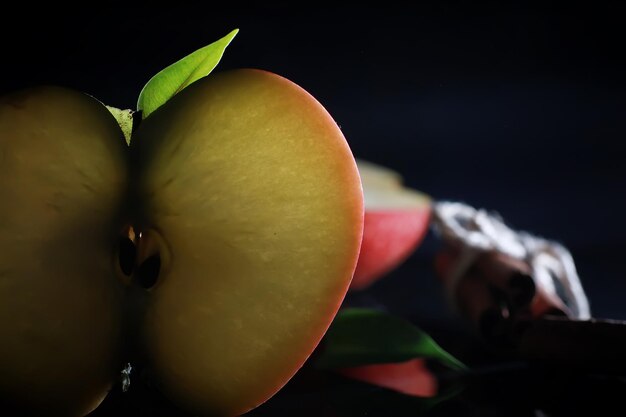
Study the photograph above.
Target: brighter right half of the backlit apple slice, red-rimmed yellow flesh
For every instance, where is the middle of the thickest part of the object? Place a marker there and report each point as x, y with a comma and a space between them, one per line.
257, 198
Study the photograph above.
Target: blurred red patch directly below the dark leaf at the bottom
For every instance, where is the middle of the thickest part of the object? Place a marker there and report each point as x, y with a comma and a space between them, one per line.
411, 377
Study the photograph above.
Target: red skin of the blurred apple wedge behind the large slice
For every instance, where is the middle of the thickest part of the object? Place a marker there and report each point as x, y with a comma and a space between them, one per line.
389, 238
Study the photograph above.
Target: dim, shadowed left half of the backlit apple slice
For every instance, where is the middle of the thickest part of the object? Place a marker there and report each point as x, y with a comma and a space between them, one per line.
62, 178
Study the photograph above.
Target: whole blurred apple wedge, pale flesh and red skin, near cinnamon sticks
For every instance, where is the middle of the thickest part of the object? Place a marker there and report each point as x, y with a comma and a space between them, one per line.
396, 221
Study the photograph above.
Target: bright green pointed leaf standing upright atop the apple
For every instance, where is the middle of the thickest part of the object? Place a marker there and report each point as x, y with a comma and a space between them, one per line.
169, 81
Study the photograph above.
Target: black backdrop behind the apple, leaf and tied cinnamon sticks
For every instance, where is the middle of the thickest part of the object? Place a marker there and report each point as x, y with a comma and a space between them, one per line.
516, 109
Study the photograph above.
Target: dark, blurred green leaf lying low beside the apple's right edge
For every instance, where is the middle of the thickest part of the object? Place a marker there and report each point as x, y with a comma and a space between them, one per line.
361, 336
